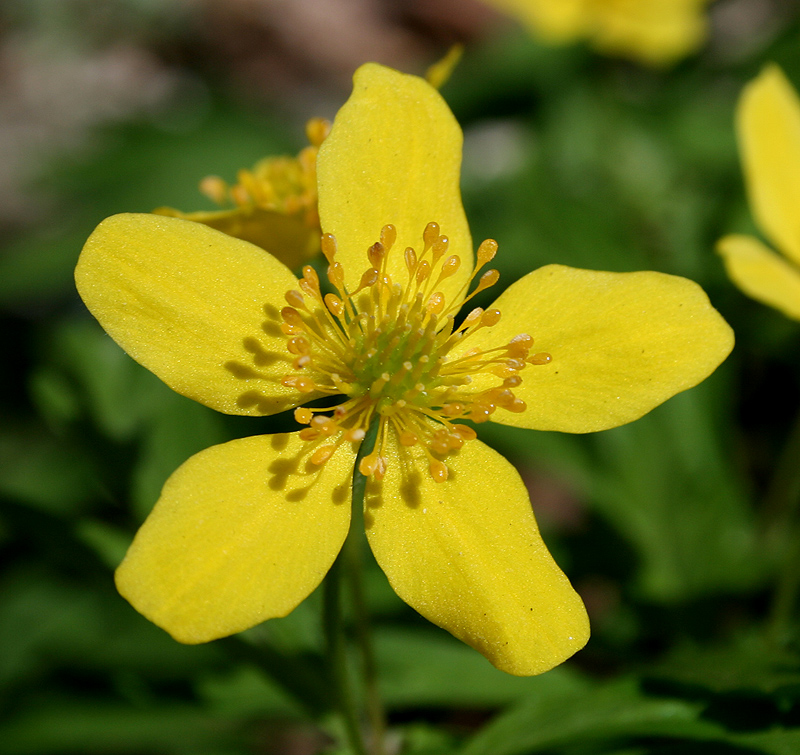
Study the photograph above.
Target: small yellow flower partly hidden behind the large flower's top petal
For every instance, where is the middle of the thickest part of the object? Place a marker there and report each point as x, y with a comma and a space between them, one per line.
273, 206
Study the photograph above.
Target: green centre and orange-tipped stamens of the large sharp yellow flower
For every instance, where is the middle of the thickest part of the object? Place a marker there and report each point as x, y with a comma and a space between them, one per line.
387, 348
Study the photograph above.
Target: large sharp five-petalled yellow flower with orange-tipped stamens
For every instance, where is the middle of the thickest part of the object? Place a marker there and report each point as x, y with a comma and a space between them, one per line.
246, 530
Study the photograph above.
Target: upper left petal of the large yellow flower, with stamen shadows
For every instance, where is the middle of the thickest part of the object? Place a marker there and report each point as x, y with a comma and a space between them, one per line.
193, 305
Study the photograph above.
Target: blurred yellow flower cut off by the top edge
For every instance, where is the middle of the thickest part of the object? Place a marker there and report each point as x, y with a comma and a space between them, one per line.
655, 32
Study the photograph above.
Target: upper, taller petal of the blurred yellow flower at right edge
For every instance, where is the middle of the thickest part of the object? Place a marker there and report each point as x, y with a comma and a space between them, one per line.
768, 124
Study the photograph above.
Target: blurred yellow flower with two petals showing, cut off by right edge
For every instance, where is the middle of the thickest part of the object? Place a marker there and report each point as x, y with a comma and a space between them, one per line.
768, 127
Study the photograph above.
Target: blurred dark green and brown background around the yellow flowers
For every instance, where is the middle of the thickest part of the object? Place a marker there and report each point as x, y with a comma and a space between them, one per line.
680, 530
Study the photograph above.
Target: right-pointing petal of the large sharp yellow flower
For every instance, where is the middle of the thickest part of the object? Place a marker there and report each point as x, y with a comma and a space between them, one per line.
621, 344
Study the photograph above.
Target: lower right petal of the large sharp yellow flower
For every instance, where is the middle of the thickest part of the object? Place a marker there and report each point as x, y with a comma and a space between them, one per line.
466, 553
